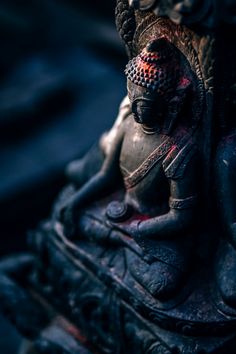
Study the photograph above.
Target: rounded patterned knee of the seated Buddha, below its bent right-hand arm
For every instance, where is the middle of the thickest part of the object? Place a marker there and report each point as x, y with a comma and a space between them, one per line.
160, 279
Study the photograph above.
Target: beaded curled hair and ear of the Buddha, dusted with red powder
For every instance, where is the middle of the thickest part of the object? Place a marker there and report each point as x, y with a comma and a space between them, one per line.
158, 68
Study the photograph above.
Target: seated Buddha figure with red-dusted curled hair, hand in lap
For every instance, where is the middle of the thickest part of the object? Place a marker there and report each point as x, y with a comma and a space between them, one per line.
147, 181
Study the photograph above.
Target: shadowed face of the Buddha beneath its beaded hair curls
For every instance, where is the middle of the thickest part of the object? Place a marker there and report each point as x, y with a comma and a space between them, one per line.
147, 106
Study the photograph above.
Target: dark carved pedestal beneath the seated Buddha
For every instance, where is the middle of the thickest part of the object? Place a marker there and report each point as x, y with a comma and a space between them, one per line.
92, 287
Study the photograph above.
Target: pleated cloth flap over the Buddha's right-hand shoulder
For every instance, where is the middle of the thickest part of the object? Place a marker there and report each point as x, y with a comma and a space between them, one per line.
184, 150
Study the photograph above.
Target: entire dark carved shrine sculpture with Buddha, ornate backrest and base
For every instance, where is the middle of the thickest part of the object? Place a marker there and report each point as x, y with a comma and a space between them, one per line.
139, 255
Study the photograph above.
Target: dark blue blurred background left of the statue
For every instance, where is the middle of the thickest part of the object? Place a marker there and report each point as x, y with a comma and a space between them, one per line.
61, 82
